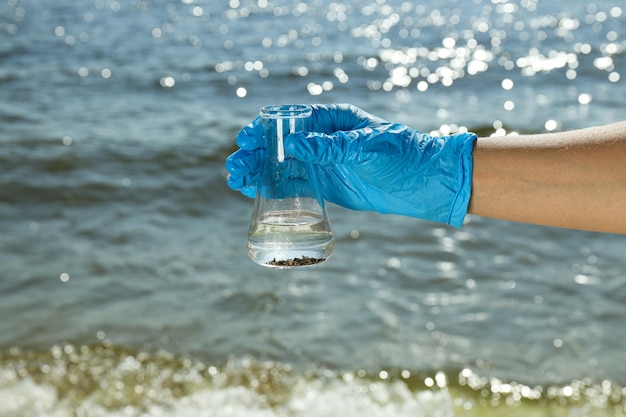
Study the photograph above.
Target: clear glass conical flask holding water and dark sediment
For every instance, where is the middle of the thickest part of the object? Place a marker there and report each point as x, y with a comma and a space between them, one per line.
289, 226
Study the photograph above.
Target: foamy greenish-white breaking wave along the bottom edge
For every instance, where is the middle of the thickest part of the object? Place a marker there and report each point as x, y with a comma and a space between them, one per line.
99, 380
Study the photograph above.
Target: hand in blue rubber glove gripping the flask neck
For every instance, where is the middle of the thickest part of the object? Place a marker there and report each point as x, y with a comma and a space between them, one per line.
367, 163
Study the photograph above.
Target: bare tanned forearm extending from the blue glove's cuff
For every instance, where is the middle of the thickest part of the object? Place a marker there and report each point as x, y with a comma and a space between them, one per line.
574, 179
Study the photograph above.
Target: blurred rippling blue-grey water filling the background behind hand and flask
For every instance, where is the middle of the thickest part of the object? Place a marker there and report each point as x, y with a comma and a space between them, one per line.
125, 289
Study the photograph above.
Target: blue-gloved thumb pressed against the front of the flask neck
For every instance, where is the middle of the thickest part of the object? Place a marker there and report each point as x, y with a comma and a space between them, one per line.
322, 149
